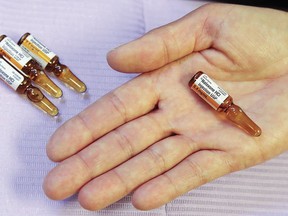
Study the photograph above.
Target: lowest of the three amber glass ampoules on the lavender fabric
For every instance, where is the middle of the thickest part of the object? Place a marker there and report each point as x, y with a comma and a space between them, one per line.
22, 85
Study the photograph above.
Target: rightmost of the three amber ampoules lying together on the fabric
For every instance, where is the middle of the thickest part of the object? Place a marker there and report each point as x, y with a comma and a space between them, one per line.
50, 62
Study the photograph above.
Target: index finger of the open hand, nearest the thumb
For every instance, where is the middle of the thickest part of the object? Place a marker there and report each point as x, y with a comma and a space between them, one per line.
129, 101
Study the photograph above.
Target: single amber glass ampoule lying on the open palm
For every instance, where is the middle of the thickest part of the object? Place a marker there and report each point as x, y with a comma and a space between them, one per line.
221, 101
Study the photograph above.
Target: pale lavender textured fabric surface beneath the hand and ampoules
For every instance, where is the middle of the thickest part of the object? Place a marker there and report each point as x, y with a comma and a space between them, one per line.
81, 33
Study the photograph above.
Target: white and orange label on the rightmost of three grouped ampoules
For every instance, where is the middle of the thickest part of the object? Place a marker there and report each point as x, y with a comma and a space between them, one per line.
37, 50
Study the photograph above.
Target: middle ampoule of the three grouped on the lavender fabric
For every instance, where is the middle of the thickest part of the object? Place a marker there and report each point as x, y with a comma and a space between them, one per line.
23, 62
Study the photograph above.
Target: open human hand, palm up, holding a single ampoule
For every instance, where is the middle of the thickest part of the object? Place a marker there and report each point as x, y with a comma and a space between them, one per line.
153, 136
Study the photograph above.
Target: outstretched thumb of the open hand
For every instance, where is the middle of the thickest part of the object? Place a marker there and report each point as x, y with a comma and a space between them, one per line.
165, 44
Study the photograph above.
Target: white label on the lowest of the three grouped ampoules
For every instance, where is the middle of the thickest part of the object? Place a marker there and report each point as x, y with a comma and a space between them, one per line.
9, 75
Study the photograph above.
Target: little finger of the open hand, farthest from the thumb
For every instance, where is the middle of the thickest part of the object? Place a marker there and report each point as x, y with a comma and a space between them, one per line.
196, 170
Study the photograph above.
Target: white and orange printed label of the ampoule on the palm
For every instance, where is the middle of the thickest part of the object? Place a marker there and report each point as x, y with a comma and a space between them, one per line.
209, 91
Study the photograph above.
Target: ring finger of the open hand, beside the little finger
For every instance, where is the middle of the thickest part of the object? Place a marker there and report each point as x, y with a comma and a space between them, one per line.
123, 179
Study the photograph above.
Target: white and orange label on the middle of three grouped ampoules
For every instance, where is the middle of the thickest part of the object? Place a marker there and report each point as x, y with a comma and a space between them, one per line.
14, 53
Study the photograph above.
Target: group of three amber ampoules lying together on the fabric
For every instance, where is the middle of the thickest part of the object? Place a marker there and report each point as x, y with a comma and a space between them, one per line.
26, 62
